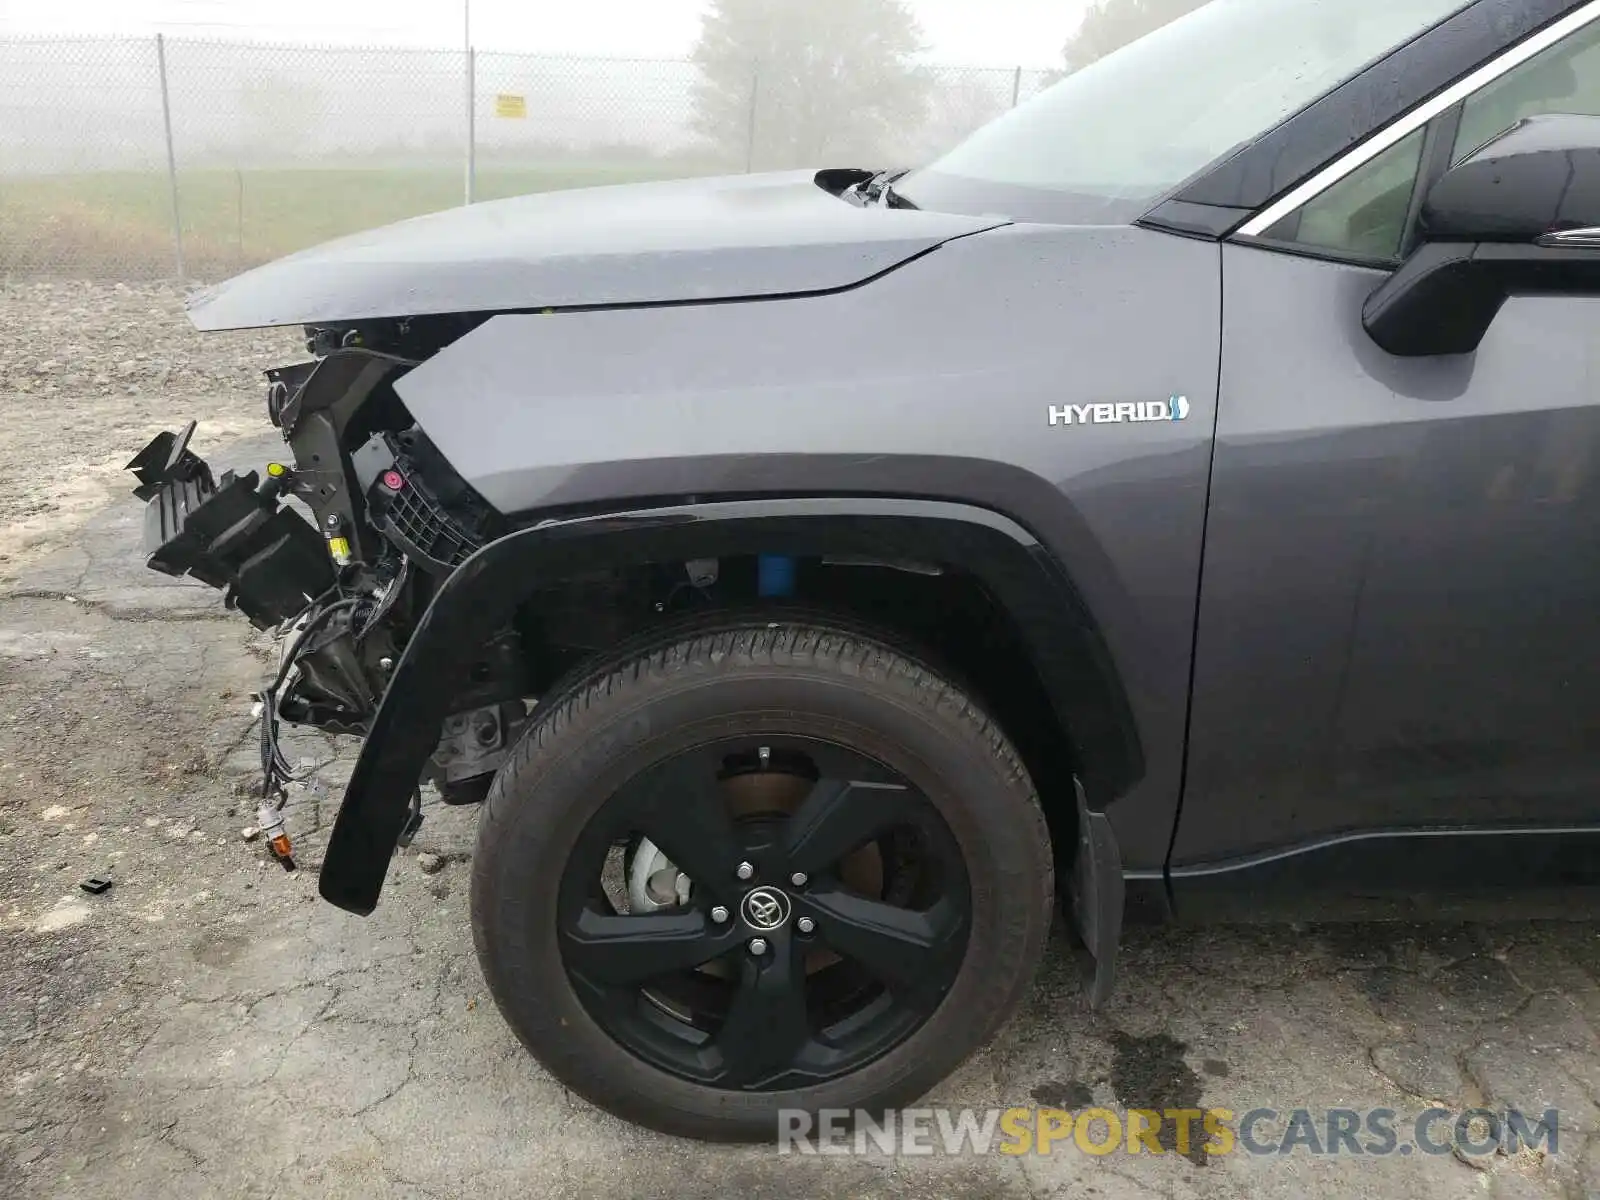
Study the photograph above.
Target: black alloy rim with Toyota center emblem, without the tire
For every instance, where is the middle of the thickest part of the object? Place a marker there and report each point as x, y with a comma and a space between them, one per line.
826, 918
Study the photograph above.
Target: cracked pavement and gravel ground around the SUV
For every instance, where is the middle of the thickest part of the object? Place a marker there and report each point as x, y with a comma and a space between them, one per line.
209, 1028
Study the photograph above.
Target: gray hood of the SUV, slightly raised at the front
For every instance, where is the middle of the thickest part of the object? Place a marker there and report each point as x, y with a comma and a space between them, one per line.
636, 244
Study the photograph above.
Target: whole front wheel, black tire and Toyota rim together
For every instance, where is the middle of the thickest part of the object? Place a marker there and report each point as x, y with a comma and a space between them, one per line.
770, 868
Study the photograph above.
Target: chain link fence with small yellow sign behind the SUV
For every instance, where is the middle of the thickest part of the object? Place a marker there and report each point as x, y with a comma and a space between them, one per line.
159, 159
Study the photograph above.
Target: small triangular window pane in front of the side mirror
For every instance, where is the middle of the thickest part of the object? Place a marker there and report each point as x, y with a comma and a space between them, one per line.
1362, 215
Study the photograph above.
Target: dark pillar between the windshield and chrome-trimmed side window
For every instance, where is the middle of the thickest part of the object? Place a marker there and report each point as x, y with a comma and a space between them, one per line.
1257, 174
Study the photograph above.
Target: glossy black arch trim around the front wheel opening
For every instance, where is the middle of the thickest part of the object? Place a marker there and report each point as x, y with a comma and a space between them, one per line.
482, 594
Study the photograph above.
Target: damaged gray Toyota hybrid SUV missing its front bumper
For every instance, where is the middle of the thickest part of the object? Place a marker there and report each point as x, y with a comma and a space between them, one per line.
1180, 502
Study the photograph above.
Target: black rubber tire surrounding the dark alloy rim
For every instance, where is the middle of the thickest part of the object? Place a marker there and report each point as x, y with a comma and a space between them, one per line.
756, 679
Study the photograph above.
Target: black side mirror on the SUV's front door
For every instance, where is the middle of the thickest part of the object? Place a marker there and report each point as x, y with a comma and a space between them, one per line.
1518, 215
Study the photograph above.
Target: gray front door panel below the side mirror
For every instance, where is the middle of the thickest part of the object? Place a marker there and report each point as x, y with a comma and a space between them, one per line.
1401, 598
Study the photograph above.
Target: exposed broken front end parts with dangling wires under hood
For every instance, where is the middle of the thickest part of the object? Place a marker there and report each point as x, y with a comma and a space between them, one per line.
340, 550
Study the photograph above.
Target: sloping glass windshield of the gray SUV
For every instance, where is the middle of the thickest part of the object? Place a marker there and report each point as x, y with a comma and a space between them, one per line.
1106, 142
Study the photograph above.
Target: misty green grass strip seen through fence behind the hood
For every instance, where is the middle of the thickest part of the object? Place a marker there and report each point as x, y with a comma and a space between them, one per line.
118, 225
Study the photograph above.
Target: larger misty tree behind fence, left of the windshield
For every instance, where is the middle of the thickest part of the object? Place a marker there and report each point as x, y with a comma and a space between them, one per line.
796, 82
